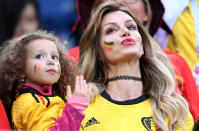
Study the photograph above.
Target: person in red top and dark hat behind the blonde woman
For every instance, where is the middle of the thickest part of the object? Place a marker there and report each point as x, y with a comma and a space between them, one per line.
144, 11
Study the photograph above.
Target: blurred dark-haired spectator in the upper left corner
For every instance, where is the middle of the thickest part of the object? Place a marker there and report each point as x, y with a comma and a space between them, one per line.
17, 17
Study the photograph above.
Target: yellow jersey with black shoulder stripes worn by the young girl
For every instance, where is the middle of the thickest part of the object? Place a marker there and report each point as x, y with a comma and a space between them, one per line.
33, 111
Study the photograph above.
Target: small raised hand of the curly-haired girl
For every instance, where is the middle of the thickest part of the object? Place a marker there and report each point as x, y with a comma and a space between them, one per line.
81, 88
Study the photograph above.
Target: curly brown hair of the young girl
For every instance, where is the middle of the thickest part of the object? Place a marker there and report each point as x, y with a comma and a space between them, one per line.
12, 65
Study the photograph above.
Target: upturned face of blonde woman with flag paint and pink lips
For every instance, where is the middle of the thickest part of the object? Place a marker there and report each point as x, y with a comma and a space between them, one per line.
119, 38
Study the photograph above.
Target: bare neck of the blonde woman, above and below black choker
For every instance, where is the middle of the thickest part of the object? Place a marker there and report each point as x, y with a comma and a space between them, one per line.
124, 89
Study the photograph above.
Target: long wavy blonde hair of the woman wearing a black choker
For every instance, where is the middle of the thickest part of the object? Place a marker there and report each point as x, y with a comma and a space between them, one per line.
157, 73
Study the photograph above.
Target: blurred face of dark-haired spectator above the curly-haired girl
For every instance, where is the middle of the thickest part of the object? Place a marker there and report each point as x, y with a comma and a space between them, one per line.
28, 21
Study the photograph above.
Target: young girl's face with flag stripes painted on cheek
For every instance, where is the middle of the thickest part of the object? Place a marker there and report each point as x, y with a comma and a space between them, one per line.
42, 65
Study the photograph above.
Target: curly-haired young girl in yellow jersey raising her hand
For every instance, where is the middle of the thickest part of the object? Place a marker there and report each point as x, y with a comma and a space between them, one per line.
34, 72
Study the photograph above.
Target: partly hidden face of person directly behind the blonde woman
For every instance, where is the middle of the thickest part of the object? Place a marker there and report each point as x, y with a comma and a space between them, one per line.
136, 7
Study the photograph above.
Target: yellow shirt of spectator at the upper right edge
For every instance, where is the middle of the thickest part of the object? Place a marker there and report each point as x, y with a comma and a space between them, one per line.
183, 40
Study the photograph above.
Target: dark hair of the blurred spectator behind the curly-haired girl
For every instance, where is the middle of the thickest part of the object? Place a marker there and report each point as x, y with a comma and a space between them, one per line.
10, 12
